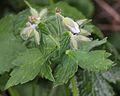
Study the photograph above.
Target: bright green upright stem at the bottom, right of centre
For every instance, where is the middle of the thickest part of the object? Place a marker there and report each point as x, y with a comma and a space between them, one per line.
74, 87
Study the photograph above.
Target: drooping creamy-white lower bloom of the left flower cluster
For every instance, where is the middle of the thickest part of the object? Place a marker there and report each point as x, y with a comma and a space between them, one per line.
30, 31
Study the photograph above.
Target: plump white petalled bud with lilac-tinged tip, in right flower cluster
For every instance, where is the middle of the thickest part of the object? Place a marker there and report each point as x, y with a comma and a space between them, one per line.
71, 25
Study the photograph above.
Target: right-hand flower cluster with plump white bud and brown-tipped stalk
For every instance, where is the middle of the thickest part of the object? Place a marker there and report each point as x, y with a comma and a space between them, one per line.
76, 33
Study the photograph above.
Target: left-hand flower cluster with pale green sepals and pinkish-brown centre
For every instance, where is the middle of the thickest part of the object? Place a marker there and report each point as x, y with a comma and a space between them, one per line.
30, 30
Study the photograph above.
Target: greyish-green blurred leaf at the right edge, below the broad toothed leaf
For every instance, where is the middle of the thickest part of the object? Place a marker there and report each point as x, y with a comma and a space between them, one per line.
112, 75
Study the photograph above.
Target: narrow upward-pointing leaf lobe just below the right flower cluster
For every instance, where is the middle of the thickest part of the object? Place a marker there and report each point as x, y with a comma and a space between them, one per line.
87, 46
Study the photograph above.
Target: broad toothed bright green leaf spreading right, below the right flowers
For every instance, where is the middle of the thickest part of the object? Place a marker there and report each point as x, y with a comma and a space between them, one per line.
92, 61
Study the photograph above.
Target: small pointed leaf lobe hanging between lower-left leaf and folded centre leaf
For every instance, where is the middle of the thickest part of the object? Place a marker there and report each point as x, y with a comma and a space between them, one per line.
46, 71
